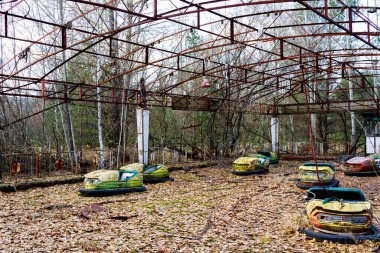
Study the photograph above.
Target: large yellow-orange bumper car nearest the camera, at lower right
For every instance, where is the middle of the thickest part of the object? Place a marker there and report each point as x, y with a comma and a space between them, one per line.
339, 215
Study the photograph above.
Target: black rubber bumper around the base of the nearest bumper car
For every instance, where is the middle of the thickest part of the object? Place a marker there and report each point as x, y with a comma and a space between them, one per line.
373, 235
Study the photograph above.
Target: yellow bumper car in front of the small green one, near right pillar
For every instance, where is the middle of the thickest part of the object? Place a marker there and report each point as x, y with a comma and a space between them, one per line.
245, 166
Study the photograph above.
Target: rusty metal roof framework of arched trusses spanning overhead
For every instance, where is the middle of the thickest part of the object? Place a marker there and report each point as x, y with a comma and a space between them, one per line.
261, 56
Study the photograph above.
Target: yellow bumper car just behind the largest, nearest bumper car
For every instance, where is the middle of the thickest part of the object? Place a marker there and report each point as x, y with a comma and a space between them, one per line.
308, 175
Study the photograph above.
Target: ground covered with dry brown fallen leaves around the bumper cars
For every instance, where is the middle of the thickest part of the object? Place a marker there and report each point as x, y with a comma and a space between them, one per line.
203, 210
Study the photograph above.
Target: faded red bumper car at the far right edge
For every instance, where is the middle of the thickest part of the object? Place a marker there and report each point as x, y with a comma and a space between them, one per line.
362, 166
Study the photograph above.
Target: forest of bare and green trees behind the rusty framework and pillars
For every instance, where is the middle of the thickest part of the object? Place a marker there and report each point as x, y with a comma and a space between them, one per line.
73, 127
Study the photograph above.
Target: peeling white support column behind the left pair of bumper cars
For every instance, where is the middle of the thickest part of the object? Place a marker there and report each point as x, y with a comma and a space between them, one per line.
142, 119
